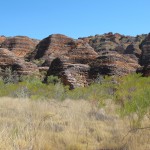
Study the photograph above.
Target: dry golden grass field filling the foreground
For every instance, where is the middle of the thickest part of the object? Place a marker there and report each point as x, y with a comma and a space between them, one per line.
68, 125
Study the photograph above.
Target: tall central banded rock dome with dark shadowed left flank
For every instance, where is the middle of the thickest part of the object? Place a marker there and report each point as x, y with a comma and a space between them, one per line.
57, 45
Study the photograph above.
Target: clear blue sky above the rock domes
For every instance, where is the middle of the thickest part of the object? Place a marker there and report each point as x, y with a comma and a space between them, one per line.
74, 18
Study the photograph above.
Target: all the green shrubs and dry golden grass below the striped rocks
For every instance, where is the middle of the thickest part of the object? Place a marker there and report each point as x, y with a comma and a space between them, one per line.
111, 113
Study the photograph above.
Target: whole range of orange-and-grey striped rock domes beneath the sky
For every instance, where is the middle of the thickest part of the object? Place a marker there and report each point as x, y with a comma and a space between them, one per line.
77, 62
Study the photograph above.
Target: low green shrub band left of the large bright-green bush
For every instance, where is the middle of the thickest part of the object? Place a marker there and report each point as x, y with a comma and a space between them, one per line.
32, 87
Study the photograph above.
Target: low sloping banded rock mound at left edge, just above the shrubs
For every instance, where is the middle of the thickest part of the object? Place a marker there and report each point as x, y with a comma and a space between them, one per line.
9, 60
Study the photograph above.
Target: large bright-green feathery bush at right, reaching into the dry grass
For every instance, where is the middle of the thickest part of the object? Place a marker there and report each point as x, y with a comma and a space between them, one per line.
133, 94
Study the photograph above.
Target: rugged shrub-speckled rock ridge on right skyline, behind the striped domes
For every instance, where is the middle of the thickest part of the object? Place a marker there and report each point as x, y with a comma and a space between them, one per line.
117, 42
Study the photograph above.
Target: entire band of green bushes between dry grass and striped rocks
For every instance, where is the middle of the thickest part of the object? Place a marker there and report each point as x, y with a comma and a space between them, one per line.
131, 92
